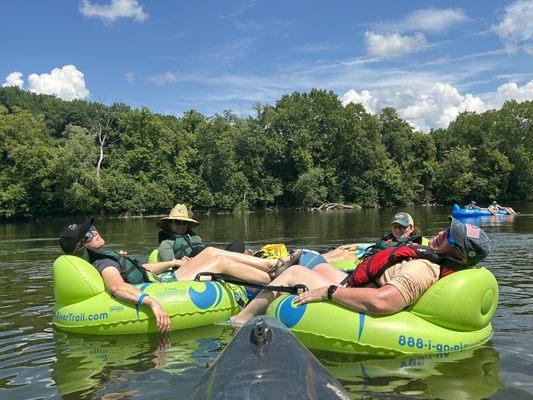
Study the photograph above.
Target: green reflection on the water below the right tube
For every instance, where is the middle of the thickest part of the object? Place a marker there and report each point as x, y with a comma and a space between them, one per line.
472, 374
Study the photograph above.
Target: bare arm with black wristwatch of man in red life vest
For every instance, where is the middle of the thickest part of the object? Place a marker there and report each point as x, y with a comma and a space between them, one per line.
385, 300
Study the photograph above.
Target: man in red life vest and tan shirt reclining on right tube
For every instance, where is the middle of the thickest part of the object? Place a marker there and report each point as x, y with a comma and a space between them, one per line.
387, 282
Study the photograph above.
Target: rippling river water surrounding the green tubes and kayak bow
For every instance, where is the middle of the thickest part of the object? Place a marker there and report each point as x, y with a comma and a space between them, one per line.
38, 362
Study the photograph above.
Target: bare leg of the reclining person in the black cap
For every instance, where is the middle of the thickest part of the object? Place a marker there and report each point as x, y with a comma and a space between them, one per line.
223, 265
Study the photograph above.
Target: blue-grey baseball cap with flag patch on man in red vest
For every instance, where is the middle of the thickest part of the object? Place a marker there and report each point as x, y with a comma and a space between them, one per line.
471, 239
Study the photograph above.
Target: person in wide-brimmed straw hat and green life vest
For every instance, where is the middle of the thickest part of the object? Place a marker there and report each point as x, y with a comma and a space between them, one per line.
178, 239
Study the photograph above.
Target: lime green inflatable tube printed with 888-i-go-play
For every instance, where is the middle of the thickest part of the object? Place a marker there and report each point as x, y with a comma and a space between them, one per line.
454, 314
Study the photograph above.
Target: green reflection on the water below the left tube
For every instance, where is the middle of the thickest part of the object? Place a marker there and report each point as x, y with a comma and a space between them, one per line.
88, 364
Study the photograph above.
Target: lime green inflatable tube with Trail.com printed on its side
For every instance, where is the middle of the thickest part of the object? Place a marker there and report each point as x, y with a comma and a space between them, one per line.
83, 305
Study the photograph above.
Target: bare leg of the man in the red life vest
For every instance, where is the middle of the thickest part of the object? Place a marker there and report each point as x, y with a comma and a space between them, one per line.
290, 277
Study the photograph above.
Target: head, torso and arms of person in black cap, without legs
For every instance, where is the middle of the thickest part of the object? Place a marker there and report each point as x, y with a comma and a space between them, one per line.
83, 240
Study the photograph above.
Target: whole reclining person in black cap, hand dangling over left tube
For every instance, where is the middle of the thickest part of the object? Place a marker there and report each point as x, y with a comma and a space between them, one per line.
120, 272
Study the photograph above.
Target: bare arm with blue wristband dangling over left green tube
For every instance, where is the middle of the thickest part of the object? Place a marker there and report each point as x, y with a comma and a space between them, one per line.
124, 291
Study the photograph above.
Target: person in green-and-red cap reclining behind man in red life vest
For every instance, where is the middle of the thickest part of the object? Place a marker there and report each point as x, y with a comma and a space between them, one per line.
402, 231
